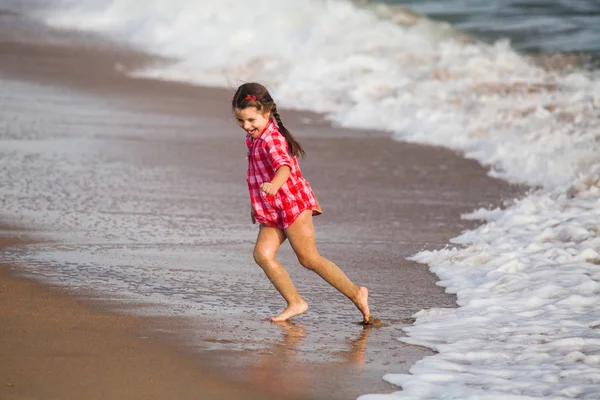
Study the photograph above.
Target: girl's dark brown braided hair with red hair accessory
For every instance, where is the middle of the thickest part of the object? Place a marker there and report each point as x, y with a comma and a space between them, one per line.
256, 95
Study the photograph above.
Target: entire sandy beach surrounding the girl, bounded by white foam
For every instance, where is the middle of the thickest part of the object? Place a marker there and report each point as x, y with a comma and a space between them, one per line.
383, 201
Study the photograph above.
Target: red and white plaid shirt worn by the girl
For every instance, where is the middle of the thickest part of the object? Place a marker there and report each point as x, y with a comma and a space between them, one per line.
266, 154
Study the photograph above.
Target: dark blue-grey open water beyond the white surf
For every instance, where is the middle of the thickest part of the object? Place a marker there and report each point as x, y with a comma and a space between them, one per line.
533, 26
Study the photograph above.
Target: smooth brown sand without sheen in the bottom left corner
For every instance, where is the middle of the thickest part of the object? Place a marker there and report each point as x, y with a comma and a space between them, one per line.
56, 346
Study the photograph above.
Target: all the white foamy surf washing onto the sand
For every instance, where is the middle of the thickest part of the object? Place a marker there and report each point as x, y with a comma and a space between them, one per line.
527, 280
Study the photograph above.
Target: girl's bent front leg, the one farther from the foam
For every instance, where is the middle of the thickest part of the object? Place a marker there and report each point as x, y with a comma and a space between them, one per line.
268, 242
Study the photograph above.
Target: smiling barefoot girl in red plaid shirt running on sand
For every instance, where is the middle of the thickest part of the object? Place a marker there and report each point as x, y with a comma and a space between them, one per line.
283, 202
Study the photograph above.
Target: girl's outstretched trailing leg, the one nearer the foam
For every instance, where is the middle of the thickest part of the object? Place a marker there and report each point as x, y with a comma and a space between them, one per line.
301, 235
